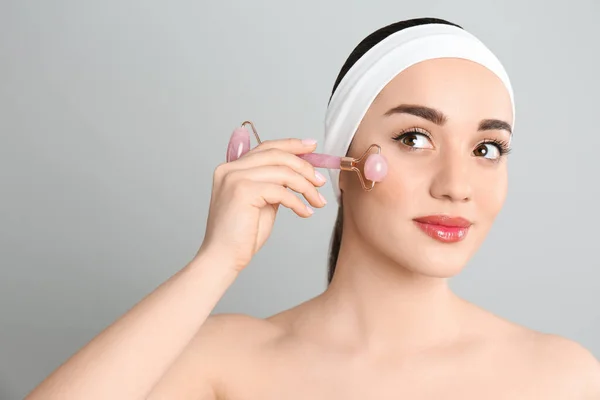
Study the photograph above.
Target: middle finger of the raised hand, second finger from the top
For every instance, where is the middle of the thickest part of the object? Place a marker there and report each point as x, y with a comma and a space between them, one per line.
277, 157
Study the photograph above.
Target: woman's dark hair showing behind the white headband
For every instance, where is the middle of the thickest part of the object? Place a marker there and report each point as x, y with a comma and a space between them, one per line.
365, 45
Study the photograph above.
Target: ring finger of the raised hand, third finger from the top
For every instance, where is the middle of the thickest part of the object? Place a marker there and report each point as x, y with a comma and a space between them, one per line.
286, 177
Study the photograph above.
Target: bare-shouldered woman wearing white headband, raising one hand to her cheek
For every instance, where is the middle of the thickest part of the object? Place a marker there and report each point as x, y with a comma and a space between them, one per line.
388, 325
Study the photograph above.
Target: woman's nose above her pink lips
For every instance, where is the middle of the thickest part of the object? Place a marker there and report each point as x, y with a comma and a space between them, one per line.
452, 181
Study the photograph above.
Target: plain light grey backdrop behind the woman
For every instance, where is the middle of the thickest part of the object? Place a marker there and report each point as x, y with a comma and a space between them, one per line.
113, 115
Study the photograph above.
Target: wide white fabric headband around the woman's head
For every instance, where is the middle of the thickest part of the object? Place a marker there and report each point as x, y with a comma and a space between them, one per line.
380, 64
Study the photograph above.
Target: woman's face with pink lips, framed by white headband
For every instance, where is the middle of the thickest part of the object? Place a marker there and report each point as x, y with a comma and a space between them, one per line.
443, 126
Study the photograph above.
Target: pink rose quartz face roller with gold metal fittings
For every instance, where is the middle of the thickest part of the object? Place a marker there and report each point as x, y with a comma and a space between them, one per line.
370, 167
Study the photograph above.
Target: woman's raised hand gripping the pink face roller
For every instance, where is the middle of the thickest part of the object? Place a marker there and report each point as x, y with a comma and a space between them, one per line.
247, 192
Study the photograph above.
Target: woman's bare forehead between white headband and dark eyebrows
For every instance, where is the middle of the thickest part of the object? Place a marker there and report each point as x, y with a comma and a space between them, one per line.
461, 89
